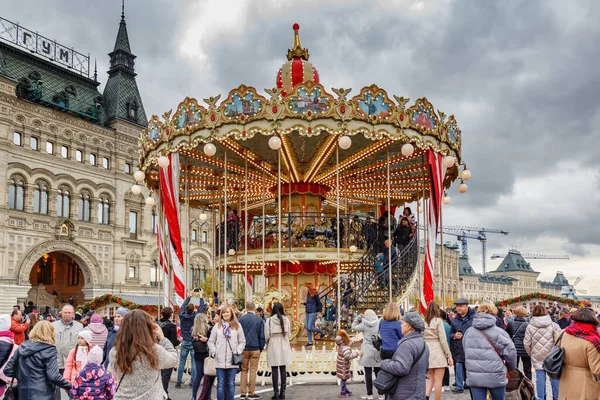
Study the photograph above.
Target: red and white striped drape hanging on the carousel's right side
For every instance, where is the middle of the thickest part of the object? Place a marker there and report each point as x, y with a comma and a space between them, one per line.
437, 172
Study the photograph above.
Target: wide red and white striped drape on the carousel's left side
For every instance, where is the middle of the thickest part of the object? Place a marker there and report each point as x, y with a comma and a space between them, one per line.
169, 189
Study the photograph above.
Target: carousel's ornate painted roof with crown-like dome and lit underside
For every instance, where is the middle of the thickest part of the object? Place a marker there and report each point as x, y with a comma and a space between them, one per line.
309, 121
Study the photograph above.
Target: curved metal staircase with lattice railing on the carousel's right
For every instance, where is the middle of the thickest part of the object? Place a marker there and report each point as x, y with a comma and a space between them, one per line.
371, 290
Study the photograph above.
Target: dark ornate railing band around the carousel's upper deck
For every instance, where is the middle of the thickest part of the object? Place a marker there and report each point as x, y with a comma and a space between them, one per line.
299, 230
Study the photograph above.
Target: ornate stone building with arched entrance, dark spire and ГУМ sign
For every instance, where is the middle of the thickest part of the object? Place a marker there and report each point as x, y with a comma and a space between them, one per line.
69, 223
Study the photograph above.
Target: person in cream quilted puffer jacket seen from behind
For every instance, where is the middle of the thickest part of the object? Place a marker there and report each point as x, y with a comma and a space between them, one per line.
538, 341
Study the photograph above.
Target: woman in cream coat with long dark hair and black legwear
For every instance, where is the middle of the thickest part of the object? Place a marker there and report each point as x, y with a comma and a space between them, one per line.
279, 354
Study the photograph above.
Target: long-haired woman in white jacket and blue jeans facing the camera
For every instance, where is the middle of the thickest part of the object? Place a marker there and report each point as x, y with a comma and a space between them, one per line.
226, 339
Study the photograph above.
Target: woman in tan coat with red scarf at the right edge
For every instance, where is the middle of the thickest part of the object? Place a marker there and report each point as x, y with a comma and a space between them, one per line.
581, 360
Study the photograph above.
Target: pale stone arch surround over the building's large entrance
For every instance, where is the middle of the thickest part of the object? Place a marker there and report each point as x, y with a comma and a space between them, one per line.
86, 261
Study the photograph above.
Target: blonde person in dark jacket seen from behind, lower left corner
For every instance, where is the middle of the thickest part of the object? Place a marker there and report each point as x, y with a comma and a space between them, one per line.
35, 365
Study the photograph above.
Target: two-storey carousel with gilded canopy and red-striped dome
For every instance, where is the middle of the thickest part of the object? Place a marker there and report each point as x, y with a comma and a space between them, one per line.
300, 181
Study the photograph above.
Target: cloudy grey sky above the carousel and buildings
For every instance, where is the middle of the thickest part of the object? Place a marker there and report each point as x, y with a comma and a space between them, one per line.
520, 76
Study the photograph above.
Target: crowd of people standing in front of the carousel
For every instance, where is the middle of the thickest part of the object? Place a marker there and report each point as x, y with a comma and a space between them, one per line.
134, 355
